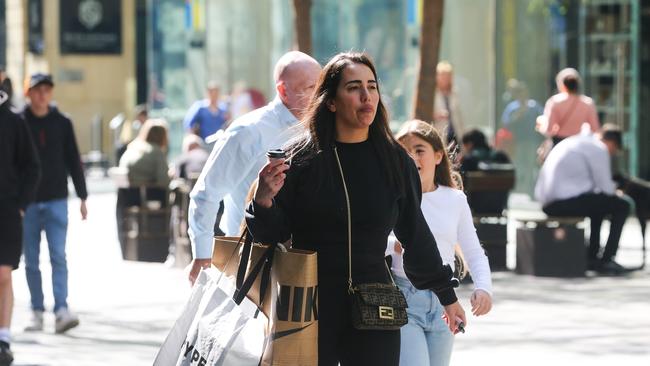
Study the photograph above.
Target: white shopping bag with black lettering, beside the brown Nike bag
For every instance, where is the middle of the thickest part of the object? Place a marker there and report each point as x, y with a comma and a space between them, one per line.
216, 331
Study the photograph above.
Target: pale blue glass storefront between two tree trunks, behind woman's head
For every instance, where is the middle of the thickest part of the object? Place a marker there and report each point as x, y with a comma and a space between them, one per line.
377, 27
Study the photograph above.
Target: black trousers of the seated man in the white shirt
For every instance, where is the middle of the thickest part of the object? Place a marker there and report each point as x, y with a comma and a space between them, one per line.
597, 207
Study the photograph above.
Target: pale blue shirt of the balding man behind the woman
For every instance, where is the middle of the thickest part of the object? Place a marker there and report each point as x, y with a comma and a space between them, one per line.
235, 161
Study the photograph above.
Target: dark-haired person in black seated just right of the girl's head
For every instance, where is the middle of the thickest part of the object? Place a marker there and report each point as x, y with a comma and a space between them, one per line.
479, 156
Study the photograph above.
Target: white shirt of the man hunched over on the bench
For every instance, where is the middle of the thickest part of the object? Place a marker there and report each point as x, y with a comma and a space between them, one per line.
577, 165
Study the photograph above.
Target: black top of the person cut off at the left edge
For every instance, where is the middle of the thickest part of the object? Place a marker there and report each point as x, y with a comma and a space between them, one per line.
18, 160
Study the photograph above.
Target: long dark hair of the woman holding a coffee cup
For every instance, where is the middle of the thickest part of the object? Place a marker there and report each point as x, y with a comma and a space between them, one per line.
320, 134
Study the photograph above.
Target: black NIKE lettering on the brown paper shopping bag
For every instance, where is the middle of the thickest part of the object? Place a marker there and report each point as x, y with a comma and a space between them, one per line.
297, 304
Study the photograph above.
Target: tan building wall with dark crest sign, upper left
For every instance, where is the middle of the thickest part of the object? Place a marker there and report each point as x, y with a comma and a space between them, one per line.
88, 46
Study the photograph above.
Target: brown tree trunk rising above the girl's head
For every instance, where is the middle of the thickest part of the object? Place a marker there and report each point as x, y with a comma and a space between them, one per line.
432, 14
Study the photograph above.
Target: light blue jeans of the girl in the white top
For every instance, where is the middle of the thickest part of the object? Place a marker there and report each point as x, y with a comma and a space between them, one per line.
426, 339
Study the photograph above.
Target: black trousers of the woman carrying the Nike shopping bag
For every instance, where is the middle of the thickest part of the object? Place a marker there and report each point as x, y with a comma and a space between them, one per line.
339, 341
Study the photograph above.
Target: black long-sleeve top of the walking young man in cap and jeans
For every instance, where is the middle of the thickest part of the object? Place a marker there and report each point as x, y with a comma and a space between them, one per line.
57, 149
